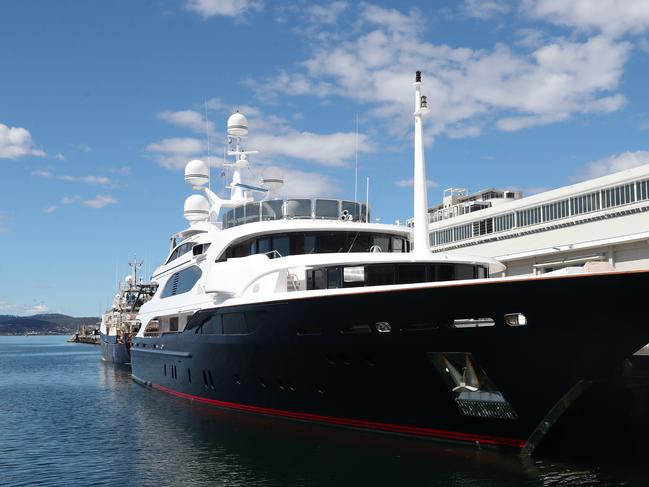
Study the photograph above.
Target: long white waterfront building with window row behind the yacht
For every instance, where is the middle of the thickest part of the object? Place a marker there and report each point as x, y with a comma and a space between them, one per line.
604, 219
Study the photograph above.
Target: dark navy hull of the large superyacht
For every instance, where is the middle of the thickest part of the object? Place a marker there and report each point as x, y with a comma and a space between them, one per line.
332, 359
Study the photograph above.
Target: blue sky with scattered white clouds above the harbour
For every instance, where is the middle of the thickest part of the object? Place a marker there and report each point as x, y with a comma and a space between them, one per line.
103, 103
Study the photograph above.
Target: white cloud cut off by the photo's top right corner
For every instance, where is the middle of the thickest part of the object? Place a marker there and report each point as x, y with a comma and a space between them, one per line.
614, 17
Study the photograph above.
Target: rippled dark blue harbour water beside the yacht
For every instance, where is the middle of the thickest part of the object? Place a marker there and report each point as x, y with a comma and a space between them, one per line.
66, 418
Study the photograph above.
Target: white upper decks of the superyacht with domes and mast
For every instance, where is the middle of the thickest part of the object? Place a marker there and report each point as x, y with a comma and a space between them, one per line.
278, 249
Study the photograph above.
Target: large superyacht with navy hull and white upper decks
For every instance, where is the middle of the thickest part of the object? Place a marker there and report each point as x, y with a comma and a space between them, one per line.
302, 309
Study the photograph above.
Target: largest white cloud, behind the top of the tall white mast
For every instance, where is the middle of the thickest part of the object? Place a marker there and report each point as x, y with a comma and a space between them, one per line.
465, 87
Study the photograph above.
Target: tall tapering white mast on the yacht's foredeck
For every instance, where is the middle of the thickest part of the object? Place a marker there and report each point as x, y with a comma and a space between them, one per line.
420, 213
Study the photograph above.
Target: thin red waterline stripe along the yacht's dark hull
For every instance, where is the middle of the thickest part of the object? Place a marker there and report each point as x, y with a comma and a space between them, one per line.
396, 428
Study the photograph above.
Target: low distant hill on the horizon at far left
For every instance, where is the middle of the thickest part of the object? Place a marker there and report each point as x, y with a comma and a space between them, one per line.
44, 324
